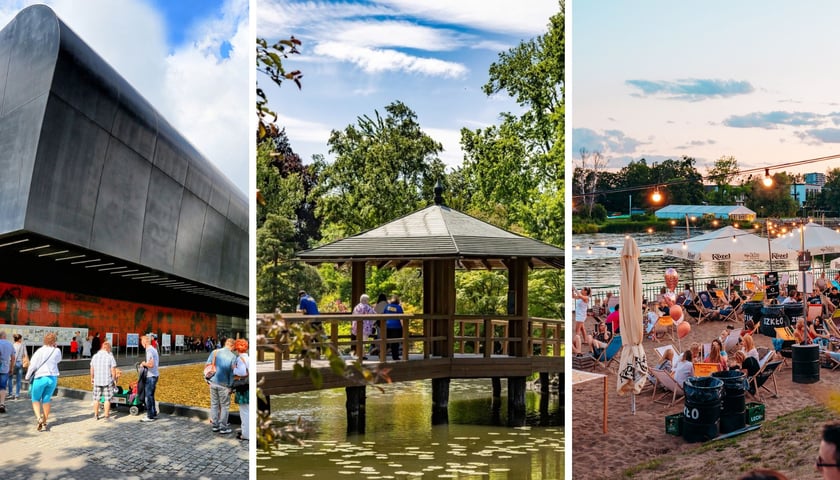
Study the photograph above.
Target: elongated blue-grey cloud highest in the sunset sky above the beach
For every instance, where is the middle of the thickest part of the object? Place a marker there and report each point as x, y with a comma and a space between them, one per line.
691, 89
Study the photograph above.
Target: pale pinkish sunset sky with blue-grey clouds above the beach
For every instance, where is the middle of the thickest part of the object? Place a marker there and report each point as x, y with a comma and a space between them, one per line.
754, 79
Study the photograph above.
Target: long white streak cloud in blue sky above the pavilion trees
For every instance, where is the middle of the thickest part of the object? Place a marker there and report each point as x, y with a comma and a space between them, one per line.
383, 60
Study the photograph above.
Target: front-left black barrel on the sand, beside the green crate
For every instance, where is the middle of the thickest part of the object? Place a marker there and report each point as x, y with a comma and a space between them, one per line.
702, 408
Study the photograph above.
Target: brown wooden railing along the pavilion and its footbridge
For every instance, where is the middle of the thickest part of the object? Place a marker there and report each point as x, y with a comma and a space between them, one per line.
434, 335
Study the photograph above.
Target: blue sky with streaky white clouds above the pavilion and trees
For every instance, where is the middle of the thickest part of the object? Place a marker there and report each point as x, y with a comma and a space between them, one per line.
359, 56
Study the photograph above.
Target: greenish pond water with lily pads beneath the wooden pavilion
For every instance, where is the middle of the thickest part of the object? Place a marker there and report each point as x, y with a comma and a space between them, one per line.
400, 441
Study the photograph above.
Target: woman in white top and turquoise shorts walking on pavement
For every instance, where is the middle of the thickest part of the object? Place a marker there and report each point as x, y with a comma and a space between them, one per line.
43, 378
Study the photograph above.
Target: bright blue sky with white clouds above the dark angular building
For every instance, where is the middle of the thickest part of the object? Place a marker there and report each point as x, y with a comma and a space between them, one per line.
189, 59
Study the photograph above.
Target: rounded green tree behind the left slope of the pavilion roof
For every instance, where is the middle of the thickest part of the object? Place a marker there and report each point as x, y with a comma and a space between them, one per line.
385, 167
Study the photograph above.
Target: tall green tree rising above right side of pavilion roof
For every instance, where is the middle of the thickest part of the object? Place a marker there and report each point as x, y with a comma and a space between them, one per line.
528, 190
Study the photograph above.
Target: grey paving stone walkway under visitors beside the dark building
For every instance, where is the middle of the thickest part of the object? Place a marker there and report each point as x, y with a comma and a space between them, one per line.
76, 446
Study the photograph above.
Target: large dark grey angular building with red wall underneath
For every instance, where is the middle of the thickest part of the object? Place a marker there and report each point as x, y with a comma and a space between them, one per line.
104, 203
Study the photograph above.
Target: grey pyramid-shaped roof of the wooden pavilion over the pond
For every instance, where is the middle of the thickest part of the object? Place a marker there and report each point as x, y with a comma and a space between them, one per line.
437, 232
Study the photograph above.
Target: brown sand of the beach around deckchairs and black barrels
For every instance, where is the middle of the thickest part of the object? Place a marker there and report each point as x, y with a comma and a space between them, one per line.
636, 439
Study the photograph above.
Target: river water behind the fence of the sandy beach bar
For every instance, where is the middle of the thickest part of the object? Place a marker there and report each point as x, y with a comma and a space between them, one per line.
601, 269
